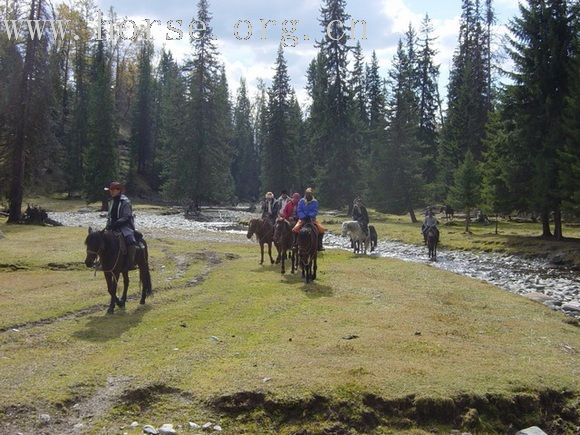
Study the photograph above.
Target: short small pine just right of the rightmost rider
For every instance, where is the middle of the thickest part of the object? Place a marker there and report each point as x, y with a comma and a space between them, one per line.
466, 190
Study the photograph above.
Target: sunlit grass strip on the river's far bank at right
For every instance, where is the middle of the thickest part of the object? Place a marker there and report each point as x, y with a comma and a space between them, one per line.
513, 237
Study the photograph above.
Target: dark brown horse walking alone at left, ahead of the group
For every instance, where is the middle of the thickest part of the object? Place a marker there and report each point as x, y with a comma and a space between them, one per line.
106, 246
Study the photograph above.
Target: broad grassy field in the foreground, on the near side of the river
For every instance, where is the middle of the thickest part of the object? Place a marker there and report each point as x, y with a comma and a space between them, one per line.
376, 346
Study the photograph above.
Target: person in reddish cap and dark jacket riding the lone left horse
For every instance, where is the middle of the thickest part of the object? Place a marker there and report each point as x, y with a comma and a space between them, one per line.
120, 218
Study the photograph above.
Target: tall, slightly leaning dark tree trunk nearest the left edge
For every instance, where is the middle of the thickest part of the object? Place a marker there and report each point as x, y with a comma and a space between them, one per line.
18, 150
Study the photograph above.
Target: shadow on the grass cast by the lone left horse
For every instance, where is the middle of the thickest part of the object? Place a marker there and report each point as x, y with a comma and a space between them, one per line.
108, 327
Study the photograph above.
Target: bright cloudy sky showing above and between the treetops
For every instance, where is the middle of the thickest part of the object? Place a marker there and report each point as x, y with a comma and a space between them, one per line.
253, 58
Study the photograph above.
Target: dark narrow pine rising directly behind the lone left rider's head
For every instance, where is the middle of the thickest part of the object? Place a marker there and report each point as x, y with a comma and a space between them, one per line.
101, 159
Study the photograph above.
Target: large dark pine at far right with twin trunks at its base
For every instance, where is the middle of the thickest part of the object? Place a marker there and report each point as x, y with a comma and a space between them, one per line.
541, 48
